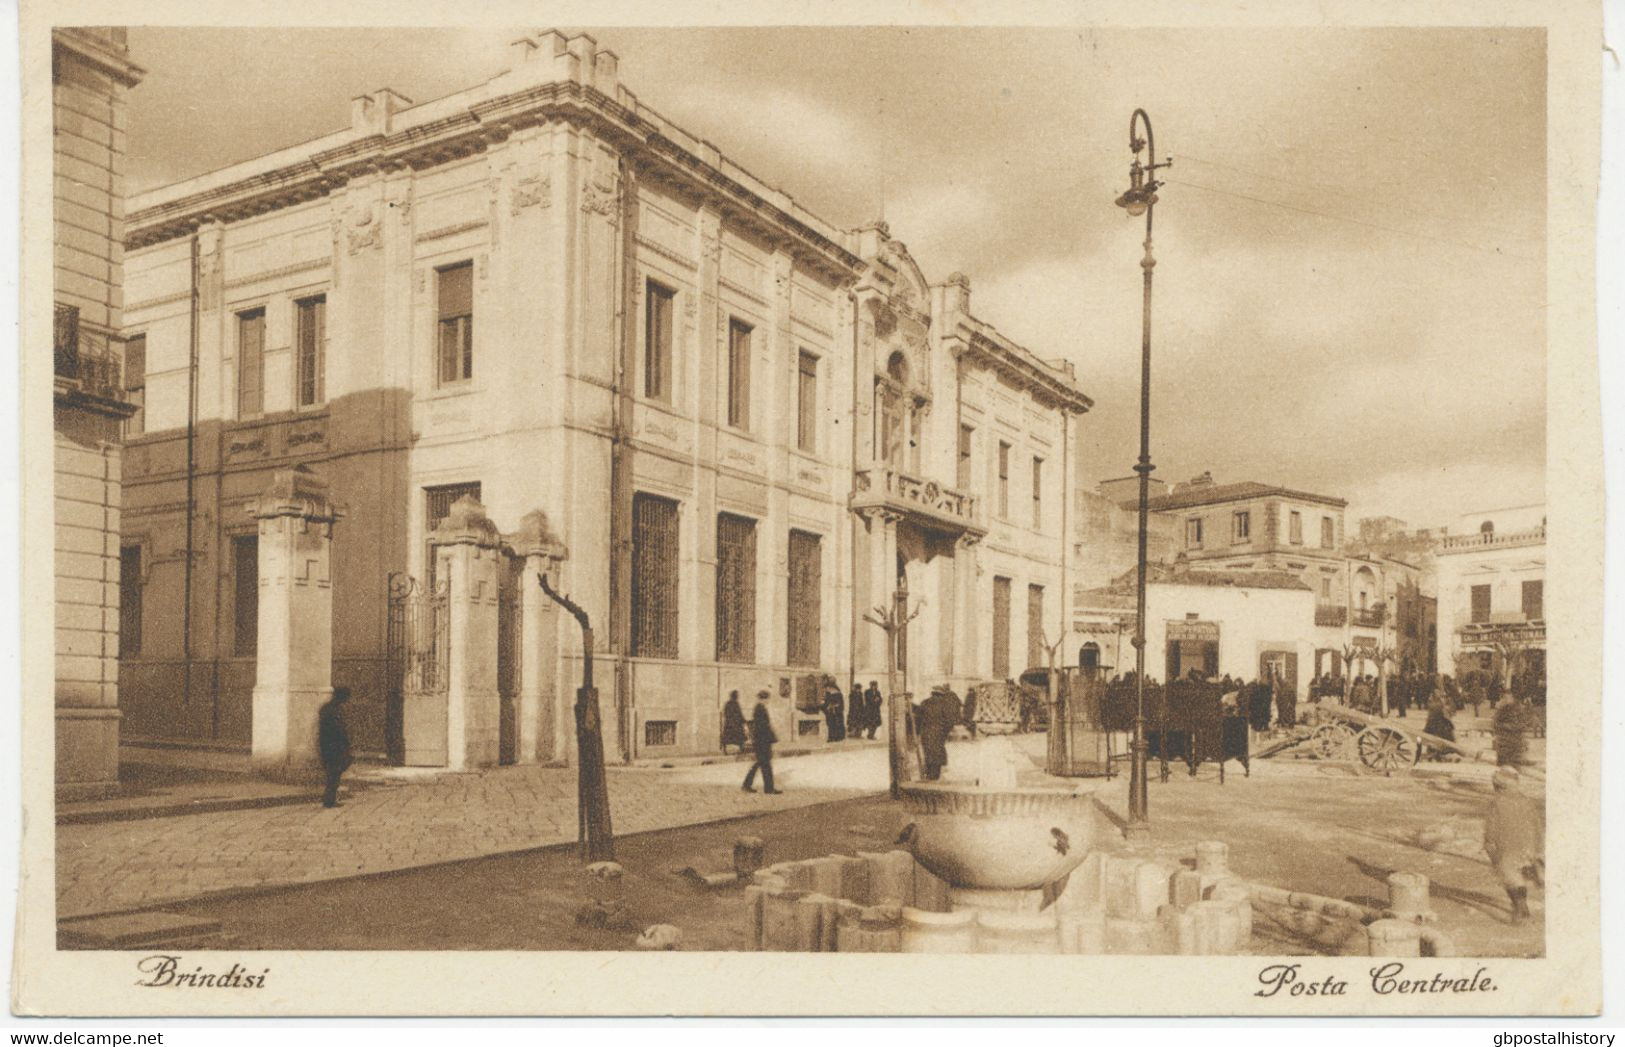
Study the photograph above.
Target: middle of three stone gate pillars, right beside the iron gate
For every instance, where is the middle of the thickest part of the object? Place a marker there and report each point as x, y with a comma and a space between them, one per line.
469, 554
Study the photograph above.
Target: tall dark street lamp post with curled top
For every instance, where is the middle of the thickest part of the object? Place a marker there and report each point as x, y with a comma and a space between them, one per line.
1142, 199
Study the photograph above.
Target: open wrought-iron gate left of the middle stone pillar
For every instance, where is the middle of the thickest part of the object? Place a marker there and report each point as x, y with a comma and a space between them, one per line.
417, 651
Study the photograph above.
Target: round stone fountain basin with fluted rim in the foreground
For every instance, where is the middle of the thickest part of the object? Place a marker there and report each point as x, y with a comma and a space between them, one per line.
1012, 840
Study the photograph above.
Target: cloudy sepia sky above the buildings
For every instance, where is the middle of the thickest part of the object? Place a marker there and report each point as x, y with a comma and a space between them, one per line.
1351, 245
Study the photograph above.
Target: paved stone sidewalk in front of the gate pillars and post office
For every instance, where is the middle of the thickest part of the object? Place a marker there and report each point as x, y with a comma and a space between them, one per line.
389, 822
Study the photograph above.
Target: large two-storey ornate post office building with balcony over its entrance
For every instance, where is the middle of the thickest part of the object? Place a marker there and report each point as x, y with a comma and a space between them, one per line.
747, 424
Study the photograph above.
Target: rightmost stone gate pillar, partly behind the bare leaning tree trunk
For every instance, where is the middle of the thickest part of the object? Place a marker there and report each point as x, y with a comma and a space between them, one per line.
542, 550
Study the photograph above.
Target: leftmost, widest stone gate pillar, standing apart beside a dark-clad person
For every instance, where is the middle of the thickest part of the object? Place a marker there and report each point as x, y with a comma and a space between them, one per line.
293, 671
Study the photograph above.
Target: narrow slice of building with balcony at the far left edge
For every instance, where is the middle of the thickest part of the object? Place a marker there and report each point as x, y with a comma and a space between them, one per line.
90, 74
